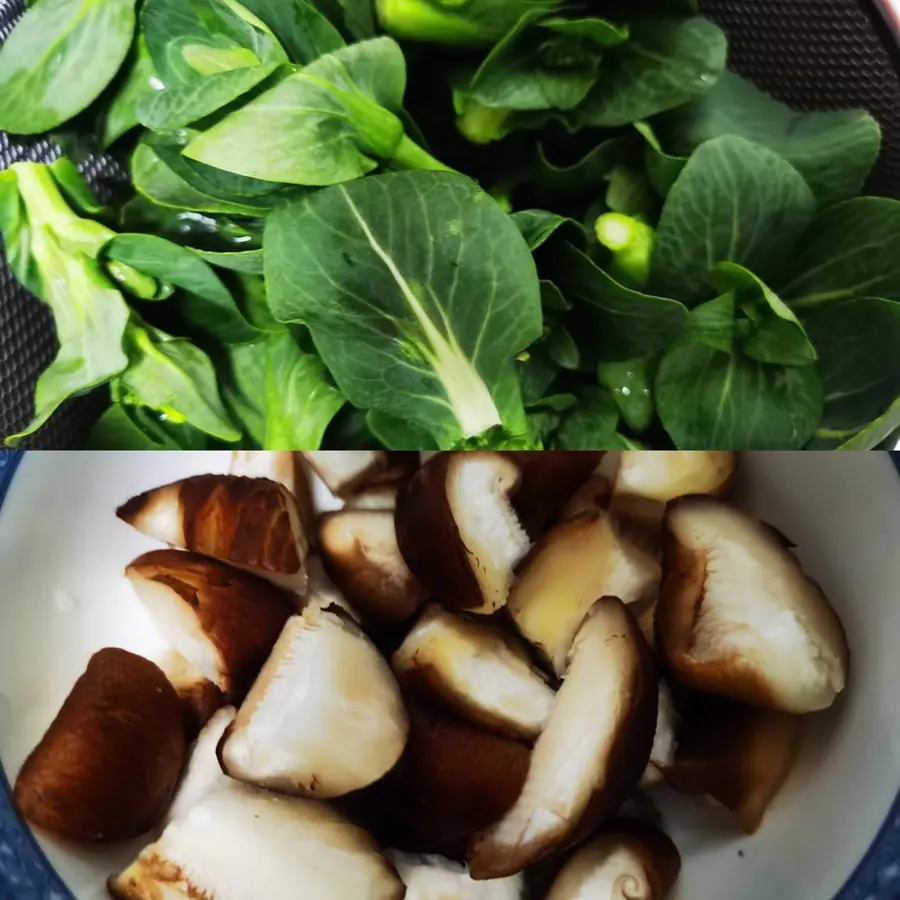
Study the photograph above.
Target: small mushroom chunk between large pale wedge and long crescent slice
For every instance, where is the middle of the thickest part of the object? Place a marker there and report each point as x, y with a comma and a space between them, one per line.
477, 670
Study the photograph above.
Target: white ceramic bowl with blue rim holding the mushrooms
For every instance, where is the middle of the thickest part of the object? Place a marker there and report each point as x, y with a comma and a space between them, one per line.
833, 832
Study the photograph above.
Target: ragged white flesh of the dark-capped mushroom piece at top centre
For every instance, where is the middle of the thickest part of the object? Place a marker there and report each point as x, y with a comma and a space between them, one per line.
478, 489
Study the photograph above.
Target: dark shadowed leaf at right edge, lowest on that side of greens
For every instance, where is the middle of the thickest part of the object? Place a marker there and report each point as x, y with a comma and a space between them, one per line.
859, 360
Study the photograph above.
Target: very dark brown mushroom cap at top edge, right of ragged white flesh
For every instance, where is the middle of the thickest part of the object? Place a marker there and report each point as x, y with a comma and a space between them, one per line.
549, 480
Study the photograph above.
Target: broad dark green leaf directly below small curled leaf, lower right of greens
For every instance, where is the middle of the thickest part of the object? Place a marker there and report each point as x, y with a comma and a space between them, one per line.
709, 400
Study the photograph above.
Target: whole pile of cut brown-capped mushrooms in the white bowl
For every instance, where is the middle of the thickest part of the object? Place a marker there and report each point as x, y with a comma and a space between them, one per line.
469, 667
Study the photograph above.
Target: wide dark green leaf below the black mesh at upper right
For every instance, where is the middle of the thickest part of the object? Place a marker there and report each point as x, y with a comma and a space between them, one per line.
833, 151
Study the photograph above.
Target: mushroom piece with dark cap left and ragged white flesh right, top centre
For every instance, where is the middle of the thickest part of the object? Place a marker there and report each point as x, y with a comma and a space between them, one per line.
457, 529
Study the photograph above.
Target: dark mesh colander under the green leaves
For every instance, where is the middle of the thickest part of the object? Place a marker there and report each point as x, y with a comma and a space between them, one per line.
812, 54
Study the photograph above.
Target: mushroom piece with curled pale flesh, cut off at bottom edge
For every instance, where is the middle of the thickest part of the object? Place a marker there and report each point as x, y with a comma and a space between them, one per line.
627, 860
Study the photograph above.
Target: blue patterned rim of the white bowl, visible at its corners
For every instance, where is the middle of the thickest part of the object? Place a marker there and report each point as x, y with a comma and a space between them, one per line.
27, 874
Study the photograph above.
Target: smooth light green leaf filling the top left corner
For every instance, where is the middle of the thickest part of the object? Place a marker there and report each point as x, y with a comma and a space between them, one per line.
59, 59
